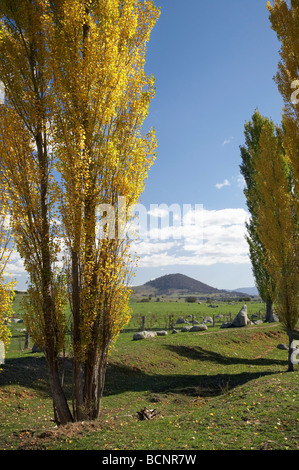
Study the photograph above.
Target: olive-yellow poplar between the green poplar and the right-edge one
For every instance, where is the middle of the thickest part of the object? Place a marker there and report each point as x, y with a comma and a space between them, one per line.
277, 225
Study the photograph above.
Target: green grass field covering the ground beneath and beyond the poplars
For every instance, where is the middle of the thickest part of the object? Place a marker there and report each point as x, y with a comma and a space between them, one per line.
221, 389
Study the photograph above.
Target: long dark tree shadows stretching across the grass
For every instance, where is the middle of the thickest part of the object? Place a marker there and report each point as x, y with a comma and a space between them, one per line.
31, 372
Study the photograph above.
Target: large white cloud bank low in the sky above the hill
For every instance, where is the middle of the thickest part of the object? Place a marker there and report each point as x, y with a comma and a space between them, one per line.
213, 237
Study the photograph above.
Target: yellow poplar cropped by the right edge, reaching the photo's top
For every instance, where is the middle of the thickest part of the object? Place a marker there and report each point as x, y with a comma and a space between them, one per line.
284, 18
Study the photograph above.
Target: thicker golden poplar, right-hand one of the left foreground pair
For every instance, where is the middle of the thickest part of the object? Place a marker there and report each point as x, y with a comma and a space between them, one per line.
102, 97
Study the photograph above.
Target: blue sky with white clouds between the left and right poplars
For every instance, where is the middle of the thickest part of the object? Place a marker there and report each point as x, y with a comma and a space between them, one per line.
214, 63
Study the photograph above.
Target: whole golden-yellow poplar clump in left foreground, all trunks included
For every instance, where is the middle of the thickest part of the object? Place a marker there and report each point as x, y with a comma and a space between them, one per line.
72, 148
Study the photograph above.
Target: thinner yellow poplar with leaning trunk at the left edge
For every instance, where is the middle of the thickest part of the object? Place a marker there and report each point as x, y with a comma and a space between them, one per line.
26, 165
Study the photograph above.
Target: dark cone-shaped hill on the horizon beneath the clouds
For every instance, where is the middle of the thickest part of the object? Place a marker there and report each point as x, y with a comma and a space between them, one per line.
178, 284
